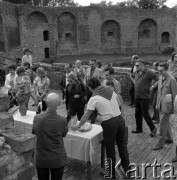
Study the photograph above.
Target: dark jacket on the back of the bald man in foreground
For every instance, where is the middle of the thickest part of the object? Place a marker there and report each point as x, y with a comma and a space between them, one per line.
50, 129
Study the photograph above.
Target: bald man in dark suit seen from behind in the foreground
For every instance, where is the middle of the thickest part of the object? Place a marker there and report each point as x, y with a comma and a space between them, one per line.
50, 128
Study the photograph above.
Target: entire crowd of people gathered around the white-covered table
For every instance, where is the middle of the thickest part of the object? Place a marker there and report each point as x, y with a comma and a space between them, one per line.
101, 91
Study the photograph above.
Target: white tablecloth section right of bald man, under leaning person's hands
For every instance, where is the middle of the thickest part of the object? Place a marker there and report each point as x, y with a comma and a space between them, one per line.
83, 145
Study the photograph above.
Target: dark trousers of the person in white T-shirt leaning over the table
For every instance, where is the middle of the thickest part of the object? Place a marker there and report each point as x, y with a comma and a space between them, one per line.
114, 131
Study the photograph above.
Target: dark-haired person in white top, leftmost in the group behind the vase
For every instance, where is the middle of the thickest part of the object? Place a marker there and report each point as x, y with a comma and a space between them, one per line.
9, 83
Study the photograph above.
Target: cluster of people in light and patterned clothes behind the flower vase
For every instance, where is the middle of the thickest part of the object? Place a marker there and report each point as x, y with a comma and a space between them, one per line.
24, 81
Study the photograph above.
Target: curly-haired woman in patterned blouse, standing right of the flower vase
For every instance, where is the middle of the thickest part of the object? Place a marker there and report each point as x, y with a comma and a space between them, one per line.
41, 86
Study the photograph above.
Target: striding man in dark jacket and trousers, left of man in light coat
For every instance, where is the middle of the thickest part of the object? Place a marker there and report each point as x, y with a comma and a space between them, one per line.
143, 80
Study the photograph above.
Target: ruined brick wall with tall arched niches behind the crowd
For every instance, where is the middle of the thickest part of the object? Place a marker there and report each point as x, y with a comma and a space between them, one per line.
51, 32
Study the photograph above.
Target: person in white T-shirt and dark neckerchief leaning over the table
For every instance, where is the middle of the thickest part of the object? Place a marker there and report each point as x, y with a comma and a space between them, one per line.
104, 100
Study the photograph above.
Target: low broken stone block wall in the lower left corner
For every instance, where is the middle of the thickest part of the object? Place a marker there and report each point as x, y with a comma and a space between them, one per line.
16, 149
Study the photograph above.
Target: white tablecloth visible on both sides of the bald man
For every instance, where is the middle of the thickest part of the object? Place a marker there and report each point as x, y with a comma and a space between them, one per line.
78, 145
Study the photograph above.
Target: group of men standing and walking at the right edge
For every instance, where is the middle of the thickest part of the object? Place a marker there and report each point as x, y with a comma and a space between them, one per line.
158, 86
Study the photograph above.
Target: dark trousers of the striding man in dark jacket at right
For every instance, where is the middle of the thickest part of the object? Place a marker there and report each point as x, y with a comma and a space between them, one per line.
142, 111
